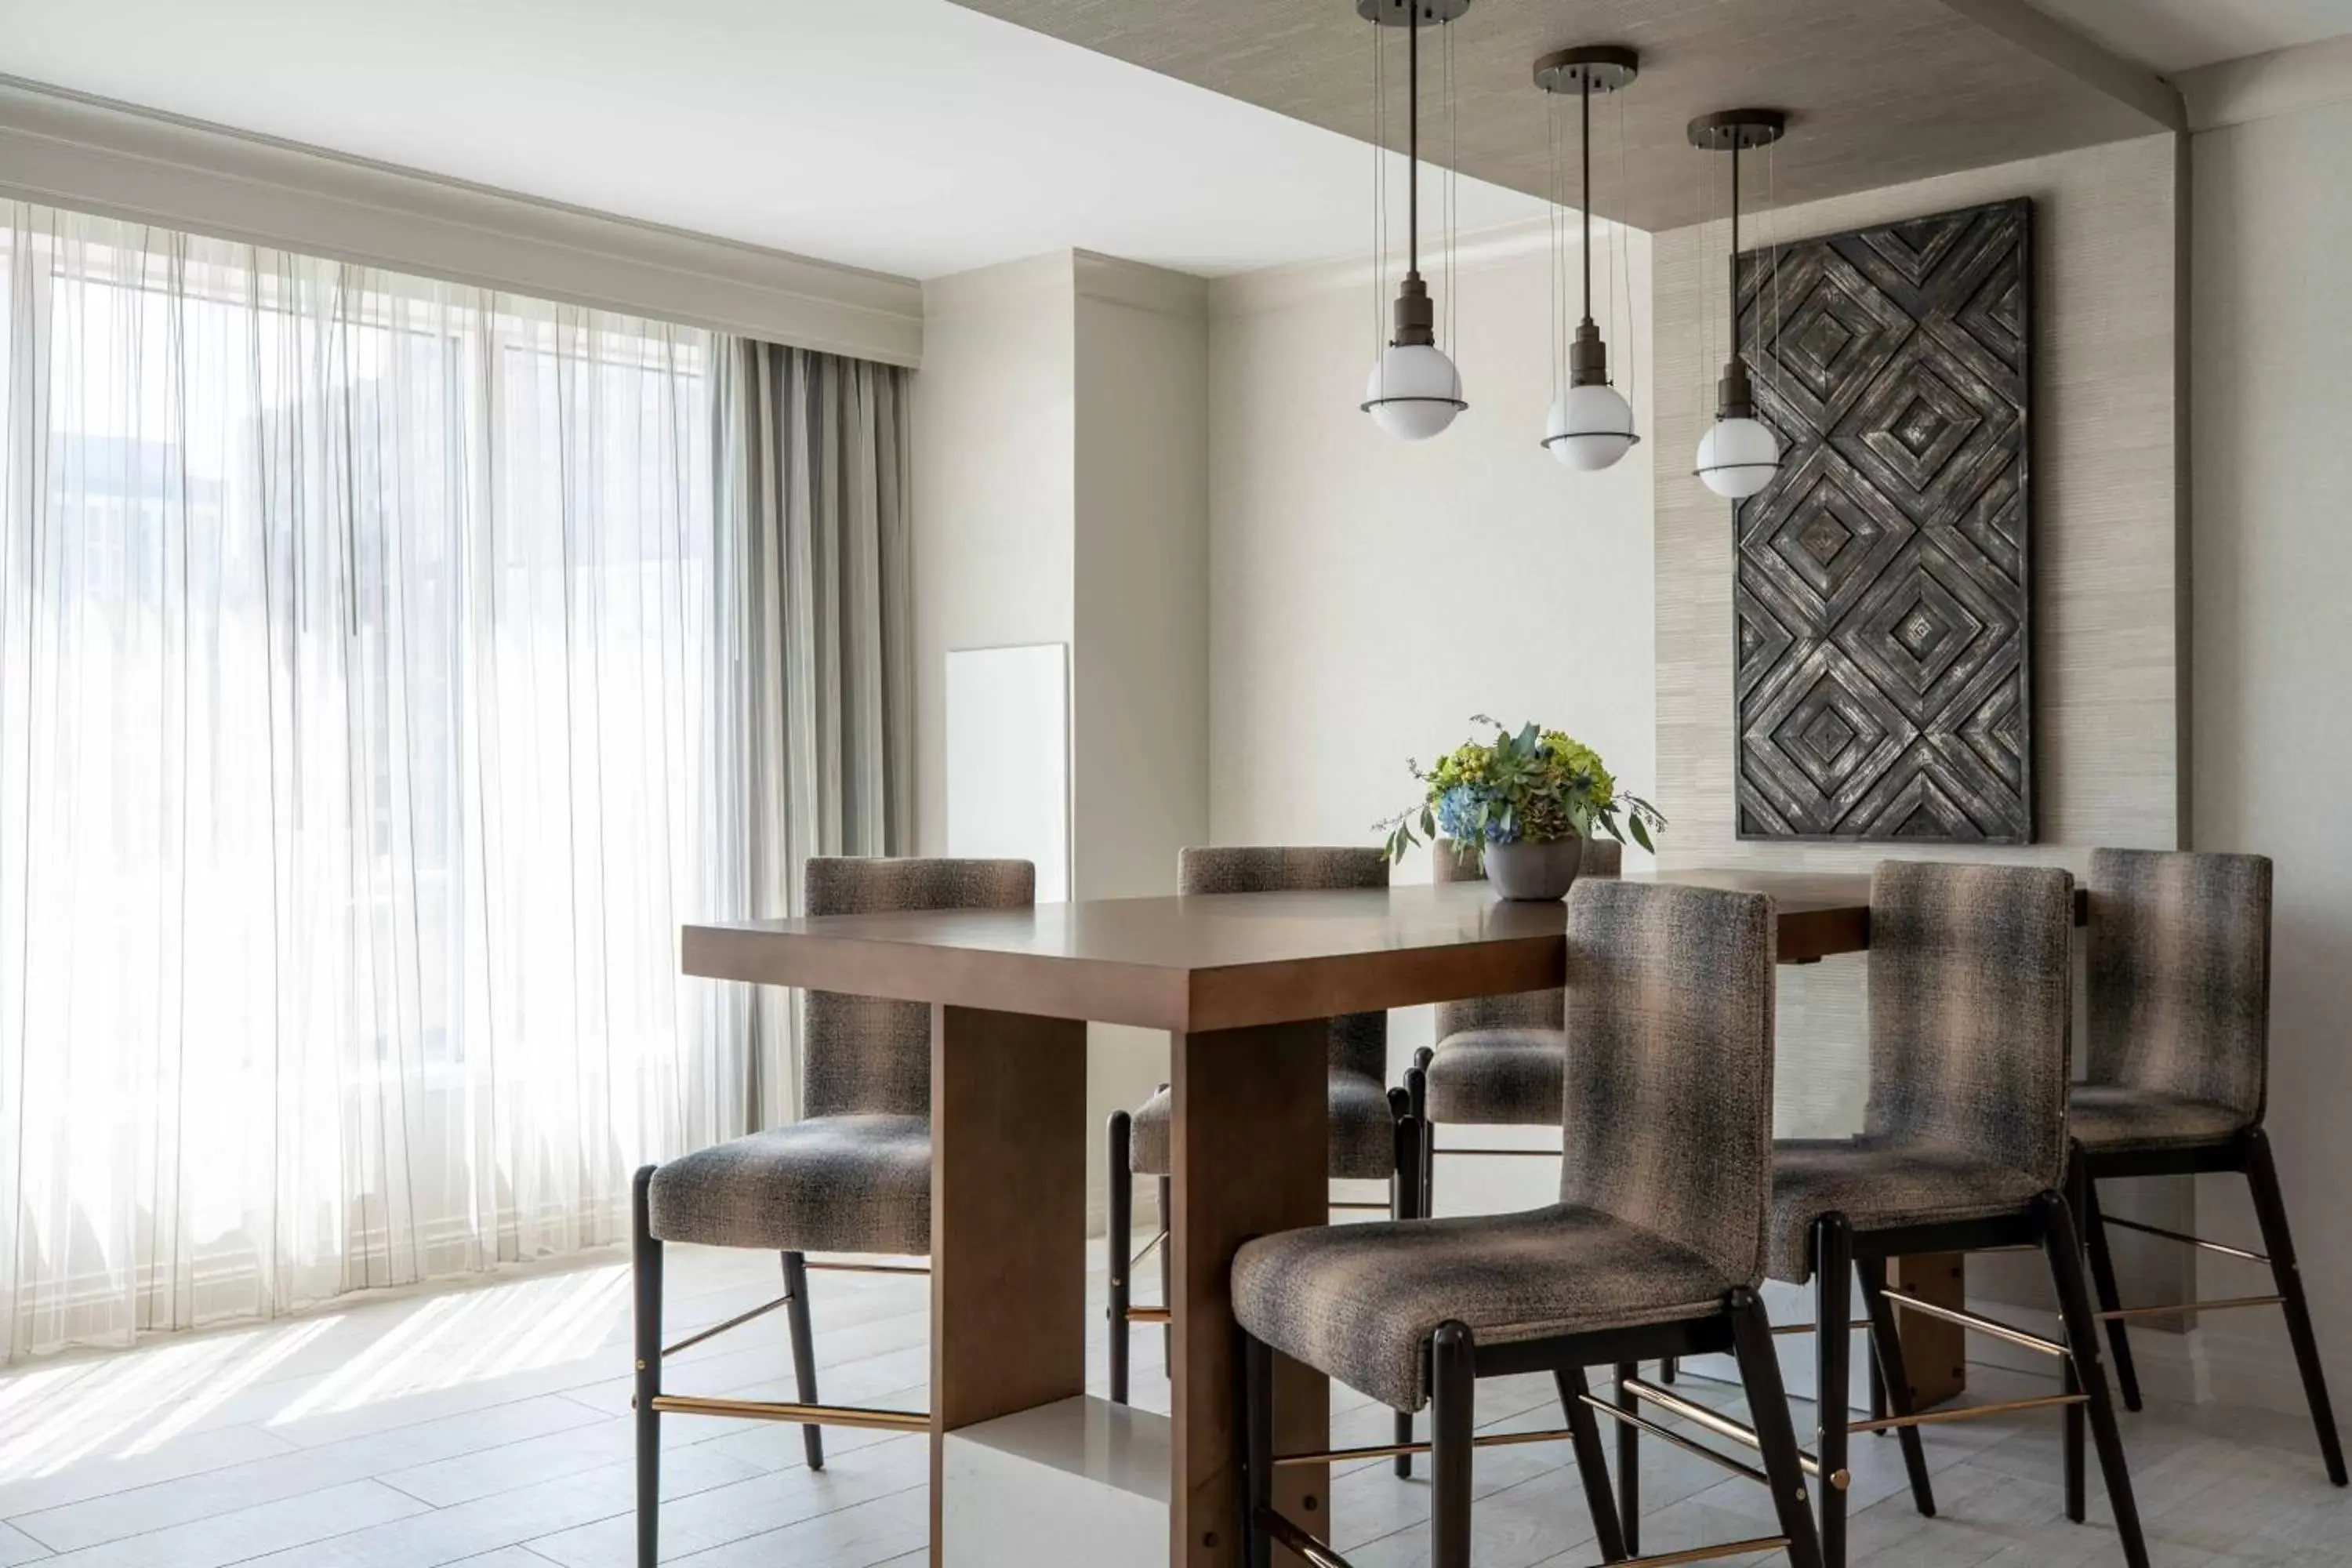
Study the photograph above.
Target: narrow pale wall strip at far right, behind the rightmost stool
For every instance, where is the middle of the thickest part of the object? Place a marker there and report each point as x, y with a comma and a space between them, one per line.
2271, 612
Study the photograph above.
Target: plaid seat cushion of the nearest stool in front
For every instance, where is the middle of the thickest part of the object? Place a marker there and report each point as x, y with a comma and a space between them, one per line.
1363, 1301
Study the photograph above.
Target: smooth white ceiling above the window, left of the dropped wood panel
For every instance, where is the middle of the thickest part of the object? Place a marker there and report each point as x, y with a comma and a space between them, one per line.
900, 135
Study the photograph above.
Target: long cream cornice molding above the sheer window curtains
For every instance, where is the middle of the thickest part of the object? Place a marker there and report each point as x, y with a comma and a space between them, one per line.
67, 149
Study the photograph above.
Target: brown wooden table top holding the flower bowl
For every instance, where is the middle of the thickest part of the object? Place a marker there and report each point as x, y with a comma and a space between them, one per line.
1229, 960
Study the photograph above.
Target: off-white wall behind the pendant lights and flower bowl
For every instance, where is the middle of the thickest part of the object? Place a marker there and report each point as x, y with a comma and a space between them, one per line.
1368, 596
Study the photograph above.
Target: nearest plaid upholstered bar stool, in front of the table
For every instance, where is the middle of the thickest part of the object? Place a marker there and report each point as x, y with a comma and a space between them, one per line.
1655, 1247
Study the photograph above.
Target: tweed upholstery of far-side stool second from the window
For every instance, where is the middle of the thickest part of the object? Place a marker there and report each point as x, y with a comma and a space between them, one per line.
1363, 1127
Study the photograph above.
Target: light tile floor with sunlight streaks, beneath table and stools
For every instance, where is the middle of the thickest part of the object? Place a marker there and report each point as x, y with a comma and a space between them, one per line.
490, 1426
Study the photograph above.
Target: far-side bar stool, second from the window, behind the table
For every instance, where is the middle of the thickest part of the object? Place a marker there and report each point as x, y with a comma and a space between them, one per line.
1365, 1118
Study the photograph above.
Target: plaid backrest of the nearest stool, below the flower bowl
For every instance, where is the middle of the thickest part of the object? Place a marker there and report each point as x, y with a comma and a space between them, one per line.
1669, 1076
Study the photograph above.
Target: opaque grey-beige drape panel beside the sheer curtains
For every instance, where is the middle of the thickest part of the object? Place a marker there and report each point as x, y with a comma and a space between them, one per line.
815, 464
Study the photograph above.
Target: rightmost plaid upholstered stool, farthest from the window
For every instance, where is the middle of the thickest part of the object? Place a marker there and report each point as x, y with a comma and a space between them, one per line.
2179, 1012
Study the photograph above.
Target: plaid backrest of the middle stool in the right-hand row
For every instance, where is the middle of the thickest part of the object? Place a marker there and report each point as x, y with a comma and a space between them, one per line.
1970, 1010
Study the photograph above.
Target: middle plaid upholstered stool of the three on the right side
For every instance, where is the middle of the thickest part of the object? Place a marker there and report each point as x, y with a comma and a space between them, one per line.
1963, 1148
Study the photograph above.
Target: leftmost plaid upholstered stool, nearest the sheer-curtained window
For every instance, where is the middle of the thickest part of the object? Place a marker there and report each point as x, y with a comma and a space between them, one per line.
850, 1177
